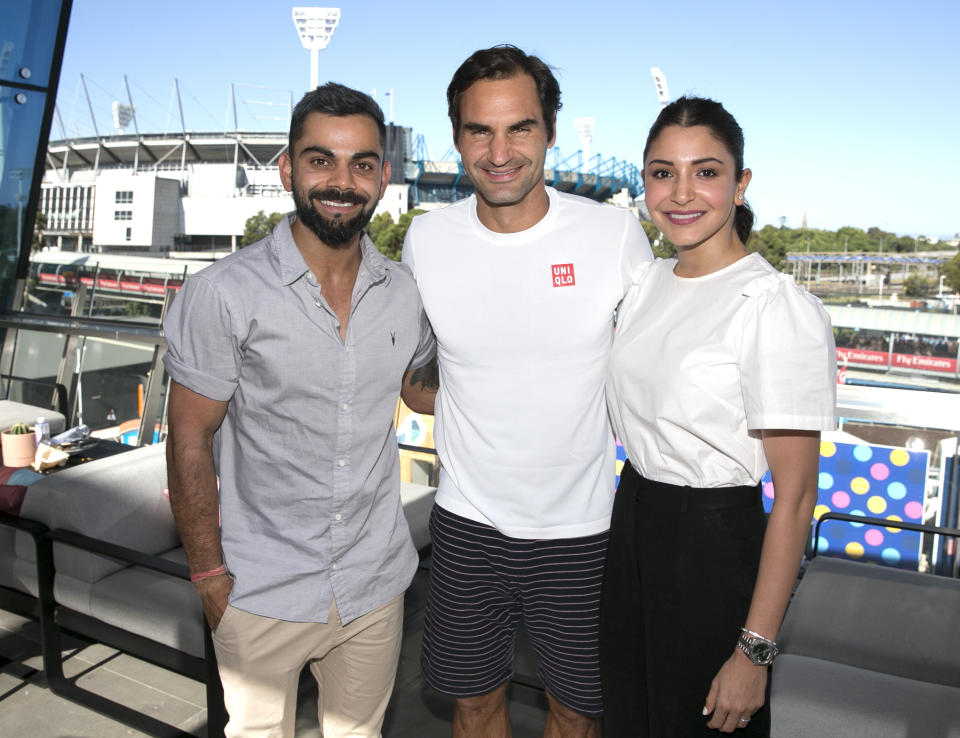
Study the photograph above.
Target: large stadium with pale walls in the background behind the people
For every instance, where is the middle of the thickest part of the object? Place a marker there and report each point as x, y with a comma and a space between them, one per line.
193, 192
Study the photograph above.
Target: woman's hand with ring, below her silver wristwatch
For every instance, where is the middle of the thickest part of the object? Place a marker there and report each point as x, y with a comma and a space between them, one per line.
736, 692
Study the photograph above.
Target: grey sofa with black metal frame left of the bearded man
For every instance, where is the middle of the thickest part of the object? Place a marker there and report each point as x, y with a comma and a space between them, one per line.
97, 547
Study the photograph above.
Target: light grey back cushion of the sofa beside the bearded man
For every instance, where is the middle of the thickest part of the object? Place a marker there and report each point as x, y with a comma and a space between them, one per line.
118, 499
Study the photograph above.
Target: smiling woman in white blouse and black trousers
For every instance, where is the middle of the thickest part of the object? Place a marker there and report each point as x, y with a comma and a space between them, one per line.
721, 368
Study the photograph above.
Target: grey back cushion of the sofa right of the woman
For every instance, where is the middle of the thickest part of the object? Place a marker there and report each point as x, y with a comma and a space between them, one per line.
873, 617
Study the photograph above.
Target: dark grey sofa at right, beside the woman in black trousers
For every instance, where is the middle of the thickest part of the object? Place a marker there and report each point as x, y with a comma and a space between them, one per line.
868, 651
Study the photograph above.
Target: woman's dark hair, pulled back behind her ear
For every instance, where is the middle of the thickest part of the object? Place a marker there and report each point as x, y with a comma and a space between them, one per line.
687, 112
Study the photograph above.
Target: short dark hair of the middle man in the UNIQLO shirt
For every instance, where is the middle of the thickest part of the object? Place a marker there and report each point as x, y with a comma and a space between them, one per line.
503, 62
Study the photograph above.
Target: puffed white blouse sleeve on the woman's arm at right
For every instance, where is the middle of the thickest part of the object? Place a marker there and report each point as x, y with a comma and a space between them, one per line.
788, 364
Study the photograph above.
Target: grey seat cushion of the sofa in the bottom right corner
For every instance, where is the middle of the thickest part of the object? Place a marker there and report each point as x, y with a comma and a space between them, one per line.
814, 698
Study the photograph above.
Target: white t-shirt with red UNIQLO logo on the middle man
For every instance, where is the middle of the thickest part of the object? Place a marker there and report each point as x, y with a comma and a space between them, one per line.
524, 326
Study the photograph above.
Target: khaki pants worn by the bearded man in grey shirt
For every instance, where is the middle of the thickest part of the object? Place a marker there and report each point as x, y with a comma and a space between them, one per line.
260, 661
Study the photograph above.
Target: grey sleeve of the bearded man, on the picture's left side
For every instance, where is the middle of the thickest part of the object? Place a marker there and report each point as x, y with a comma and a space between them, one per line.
203, 348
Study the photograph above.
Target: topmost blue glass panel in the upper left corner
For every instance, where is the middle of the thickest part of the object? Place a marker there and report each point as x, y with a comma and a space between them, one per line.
27, 37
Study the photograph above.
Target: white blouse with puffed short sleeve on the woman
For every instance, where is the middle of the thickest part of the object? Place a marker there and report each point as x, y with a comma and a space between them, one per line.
700, 365
